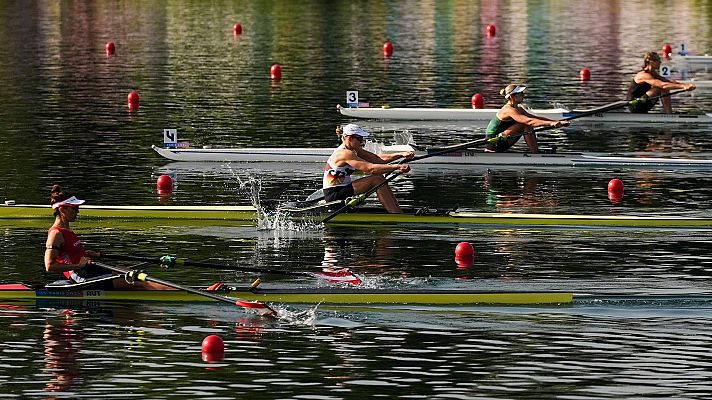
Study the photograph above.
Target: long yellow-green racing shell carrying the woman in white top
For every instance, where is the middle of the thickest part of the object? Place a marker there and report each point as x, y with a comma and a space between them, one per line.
134, 217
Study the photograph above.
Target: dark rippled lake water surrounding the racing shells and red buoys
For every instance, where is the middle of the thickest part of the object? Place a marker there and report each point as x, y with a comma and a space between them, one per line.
65, 120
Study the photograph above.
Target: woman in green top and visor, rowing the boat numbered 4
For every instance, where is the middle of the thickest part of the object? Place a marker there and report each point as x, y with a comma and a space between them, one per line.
511, 120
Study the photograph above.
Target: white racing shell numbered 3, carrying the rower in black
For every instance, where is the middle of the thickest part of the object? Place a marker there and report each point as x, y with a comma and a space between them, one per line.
484, 115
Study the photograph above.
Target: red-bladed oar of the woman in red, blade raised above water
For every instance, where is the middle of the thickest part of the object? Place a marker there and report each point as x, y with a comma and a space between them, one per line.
341, 275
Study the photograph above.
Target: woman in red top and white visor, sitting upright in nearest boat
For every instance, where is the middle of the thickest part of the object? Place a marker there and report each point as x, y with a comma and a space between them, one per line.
65, 253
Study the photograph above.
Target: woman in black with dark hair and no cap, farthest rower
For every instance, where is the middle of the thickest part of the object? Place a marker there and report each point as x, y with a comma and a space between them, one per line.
649, 83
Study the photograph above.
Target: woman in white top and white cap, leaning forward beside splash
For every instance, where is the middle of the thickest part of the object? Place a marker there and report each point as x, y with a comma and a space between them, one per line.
351, 156
